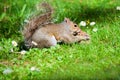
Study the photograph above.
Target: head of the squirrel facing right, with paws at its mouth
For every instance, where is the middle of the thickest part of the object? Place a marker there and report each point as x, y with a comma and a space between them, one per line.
76, 31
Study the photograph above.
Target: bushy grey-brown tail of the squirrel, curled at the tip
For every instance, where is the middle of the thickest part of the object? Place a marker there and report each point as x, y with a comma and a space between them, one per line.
33, 23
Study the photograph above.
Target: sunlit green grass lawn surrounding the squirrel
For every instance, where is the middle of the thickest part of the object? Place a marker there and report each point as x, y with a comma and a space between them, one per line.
98, 59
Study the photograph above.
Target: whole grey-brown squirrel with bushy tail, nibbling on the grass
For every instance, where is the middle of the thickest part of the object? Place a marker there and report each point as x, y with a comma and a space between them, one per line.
41, 35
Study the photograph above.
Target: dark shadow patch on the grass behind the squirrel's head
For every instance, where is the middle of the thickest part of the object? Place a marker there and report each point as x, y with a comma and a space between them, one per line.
99, 14
